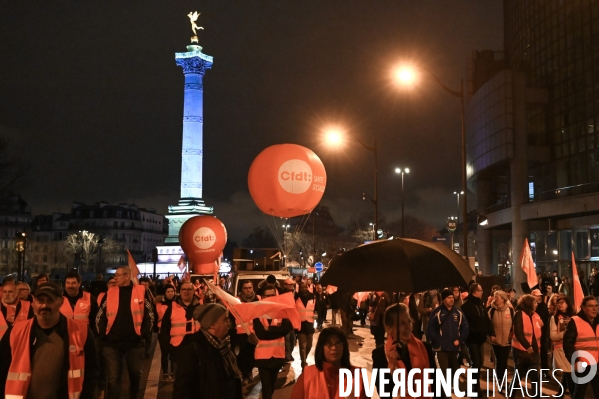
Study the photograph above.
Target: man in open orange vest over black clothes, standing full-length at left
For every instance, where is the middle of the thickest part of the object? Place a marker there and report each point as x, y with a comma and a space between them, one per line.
125, 317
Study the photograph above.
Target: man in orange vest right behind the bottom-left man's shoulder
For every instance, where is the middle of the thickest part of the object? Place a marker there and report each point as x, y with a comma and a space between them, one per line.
78, 305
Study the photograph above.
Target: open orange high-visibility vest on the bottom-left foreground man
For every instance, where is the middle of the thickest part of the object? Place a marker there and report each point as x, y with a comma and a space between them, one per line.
19, 373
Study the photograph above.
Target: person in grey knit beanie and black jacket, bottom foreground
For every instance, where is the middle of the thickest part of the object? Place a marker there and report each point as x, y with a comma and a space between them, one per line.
208, 368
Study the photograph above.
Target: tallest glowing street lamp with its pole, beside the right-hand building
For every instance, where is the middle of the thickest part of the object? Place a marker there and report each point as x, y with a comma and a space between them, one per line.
406, 75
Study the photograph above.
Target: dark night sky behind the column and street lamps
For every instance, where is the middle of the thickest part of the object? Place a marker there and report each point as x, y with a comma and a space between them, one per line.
92, 98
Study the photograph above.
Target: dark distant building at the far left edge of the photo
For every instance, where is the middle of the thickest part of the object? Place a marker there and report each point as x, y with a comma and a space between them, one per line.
15, 216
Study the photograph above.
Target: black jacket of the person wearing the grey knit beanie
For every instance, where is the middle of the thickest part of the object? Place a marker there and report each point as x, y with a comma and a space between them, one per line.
201, 373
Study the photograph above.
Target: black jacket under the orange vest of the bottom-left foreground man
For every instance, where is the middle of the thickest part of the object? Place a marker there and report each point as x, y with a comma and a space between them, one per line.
91, 360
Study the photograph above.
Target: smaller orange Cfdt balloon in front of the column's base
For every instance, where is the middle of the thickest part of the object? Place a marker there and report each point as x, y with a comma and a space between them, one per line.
203, 239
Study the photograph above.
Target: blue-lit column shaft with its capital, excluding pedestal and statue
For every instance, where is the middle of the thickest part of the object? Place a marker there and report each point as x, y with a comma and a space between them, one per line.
194, 64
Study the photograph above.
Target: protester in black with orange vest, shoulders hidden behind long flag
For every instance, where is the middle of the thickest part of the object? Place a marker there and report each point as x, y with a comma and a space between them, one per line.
270, 351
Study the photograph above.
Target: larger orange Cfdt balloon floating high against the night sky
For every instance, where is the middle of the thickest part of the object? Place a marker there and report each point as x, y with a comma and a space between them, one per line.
287, 180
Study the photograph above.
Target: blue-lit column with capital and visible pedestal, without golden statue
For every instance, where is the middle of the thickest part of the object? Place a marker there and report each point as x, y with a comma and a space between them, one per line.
194, 64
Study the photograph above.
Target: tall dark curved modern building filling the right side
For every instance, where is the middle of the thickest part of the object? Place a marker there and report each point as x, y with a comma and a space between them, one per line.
532, 125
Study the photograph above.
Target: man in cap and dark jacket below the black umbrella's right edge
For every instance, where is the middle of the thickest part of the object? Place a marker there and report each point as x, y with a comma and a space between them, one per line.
447, 330
